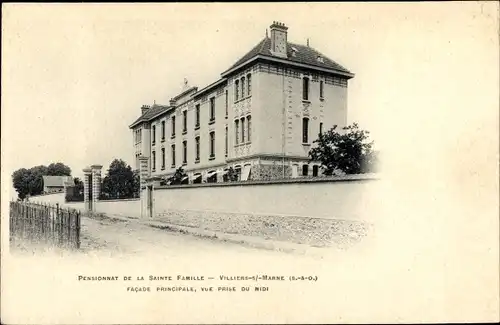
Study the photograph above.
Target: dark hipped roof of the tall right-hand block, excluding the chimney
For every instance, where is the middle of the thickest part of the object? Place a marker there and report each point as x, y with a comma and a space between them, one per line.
303, 54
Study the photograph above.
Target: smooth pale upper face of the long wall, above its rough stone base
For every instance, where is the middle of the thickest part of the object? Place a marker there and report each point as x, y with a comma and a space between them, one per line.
349, 197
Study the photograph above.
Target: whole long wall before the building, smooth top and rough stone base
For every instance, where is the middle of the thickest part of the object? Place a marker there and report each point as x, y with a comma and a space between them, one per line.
315, 211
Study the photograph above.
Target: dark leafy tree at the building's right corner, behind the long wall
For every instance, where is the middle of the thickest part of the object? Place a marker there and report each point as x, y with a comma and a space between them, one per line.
349, 151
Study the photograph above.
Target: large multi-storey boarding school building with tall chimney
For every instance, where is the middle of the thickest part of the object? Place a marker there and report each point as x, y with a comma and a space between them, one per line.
261, 117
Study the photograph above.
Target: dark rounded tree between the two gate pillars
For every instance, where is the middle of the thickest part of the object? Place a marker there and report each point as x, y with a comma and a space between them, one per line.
119, 182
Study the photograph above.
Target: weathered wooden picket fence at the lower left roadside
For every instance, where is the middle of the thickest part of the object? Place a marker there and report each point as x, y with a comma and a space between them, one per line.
44, 224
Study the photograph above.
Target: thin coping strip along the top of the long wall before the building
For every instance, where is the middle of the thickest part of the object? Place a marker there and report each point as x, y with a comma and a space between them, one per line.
299, 180
